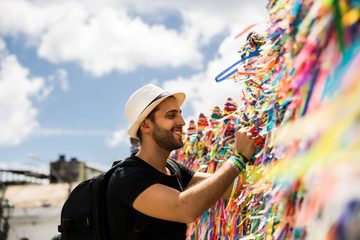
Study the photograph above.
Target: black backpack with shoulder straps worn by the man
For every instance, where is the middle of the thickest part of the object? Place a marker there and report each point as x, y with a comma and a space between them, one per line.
84, 213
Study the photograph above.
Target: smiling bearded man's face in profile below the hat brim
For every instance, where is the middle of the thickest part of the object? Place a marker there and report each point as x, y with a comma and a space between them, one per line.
167, 127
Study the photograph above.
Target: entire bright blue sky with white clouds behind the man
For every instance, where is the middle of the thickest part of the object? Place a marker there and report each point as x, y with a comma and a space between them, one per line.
68, 67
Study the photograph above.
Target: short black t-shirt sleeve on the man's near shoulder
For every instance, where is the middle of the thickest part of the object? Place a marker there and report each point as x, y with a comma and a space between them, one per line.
131, 182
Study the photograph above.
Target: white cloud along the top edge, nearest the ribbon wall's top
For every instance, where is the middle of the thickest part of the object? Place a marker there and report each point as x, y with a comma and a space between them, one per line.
204, 19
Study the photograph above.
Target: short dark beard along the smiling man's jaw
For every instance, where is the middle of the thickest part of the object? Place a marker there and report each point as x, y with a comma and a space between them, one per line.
165, 138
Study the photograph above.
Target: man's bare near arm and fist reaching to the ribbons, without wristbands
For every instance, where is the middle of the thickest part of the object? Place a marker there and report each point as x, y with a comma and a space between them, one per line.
167, 203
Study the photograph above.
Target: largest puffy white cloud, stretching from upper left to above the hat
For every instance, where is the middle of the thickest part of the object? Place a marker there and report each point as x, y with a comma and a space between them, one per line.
100, 41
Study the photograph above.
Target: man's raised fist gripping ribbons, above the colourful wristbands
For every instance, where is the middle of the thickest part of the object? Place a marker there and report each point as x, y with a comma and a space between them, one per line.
244, 142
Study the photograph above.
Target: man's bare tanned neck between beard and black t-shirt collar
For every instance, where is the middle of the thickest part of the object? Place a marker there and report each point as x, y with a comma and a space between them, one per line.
154, 155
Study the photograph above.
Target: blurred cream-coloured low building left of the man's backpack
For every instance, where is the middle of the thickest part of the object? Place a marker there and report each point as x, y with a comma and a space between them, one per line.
37, 209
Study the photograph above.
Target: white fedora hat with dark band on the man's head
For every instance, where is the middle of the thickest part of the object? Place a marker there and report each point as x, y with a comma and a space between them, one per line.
143, 101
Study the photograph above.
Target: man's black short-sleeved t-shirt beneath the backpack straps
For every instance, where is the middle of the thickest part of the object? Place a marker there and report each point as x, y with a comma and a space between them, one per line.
127, 182
